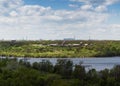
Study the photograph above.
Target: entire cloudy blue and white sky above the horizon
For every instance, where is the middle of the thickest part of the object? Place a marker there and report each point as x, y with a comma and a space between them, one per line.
59, 19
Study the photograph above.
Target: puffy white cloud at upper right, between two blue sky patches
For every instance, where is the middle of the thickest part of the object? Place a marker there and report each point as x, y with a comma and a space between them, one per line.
99, 5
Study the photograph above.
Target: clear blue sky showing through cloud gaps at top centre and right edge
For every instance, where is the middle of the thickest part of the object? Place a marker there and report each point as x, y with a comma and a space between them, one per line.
64, 4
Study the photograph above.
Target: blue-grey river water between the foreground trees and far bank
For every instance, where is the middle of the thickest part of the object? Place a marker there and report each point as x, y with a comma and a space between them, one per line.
89, 63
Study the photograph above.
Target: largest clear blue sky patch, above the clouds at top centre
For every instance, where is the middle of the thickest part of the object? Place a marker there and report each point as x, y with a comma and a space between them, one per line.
54, 4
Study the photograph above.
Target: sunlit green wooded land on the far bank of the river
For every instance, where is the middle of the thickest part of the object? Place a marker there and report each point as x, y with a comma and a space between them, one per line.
60, 48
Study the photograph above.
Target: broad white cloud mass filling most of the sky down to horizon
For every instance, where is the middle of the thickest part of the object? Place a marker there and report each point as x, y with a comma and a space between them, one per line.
35, 22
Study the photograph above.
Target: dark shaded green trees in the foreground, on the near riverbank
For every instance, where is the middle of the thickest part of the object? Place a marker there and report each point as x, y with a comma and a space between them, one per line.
63, 73
